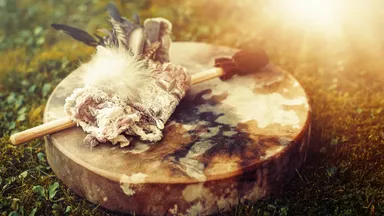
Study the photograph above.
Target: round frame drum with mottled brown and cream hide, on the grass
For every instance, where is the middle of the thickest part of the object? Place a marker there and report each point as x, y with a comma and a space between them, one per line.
227, 142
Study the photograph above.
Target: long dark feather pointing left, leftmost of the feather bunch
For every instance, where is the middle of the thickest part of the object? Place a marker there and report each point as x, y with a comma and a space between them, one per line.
76, 34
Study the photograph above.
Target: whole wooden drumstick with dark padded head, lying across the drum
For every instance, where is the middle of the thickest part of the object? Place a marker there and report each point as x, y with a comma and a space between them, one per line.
243, 62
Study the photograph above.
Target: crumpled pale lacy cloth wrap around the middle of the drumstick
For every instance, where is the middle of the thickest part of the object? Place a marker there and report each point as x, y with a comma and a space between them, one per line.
109, 118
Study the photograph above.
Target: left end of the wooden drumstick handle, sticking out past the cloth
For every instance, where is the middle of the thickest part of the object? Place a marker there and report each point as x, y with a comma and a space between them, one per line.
42, 130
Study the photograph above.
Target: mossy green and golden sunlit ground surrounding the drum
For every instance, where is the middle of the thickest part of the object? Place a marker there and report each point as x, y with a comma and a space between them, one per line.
344, 173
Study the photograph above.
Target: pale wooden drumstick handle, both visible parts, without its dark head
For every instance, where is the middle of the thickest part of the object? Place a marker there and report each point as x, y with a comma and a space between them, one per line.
66, 122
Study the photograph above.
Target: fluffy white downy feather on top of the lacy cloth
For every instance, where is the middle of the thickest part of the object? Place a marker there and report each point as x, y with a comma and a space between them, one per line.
118, 72
